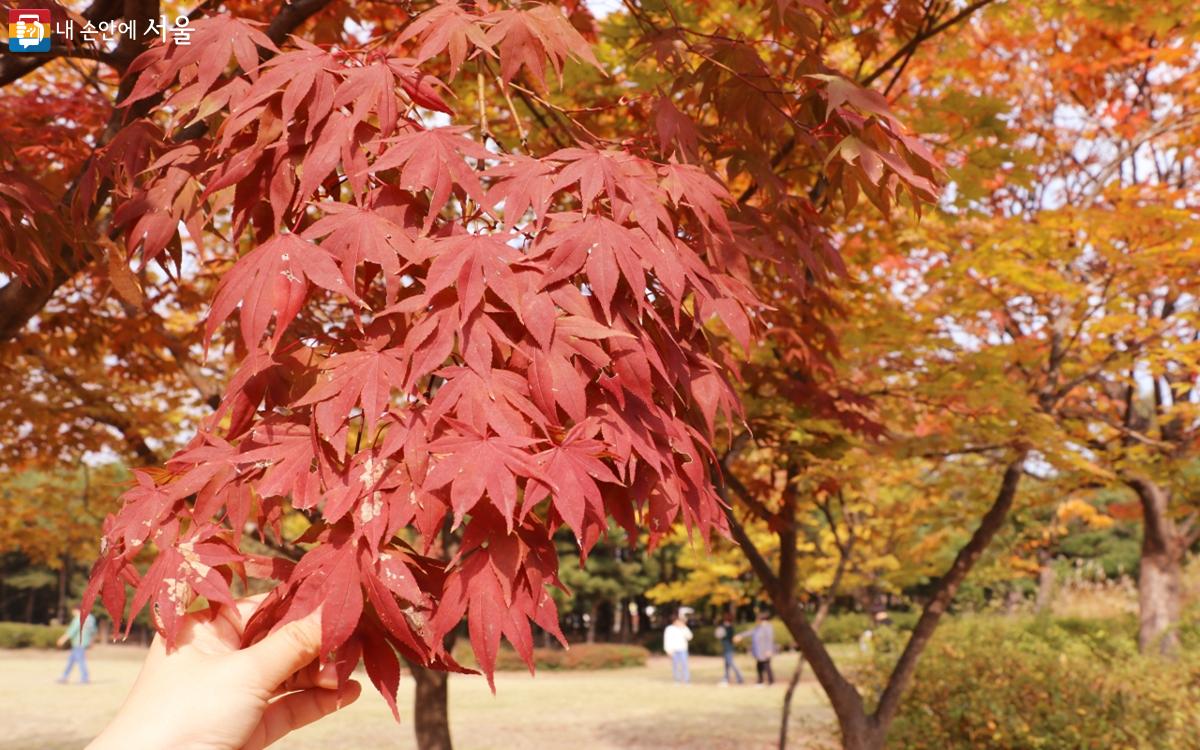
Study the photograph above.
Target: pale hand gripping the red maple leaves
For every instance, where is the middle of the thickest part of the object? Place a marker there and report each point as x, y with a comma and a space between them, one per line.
208, 694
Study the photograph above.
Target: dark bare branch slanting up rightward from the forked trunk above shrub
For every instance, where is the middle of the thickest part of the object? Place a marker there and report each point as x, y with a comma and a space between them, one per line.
946, 589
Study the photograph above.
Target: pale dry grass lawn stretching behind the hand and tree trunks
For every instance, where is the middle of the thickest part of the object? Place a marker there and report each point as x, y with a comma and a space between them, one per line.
577, 711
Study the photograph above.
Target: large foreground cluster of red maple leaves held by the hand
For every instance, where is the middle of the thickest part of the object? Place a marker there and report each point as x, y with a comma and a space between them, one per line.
434, 334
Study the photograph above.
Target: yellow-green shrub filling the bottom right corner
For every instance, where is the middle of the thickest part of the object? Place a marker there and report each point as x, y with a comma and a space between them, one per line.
994, 683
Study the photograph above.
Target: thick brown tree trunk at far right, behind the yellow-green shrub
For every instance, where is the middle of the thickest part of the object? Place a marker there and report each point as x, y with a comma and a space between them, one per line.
1160, 577
